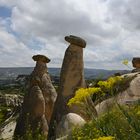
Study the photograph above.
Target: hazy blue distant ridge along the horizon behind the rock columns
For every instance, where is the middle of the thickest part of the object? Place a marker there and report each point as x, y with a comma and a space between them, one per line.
11, 73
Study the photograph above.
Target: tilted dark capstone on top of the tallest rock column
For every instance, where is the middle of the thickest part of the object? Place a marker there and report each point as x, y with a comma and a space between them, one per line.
76, 41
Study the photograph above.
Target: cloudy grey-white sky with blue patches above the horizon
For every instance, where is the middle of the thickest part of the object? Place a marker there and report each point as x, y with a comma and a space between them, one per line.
110, 27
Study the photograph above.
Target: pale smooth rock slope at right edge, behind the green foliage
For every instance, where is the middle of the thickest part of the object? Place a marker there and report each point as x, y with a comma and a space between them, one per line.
129, 96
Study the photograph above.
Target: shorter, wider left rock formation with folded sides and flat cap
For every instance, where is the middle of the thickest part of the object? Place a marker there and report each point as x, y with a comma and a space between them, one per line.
39, 101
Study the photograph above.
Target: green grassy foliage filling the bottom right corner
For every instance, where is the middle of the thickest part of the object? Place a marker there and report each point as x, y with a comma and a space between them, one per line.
123, 123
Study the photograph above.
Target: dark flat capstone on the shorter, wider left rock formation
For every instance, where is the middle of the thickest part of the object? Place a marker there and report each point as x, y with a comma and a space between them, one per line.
41, 58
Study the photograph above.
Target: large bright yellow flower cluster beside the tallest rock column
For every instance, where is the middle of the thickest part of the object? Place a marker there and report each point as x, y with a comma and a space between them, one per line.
105, 87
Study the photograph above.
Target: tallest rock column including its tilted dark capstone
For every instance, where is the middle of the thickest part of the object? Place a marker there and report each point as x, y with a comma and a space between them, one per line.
71, 78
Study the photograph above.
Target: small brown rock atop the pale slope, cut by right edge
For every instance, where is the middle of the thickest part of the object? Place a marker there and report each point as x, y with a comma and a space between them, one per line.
136, 64
